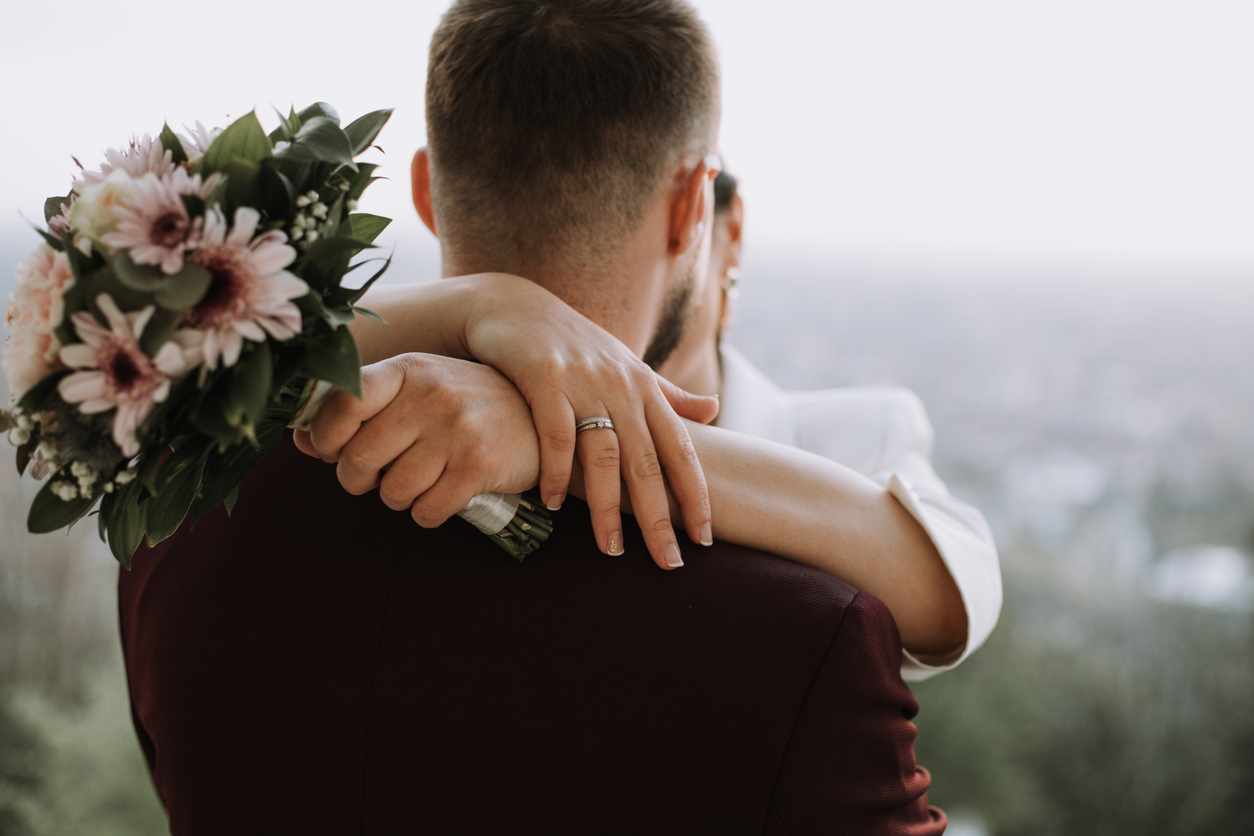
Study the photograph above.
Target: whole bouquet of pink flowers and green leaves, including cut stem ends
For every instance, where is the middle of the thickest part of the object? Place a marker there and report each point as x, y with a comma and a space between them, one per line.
186, 306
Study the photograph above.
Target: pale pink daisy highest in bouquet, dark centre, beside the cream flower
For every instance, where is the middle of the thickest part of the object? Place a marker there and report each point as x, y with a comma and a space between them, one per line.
154, 222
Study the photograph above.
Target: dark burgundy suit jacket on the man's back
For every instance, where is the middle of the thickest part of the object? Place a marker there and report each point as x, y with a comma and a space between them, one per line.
317, 664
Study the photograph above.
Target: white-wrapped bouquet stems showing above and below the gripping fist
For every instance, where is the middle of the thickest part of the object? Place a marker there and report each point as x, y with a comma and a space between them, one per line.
512, 522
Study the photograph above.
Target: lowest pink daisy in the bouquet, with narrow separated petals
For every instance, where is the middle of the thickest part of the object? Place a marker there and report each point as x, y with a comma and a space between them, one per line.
116, 373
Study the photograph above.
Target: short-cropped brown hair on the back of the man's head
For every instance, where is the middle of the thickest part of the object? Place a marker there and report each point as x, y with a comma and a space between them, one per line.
552, 123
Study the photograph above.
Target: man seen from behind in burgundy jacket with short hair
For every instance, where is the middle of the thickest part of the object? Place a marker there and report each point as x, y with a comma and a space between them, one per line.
317, 664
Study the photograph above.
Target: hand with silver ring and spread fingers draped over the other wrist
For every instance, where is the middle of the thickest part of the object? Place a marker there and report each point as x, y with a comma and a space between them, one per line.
570, 369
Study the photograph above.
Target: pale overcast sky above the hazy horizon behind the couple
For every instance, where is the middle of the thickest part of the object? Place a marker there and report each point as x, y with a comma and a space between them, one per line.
911, 132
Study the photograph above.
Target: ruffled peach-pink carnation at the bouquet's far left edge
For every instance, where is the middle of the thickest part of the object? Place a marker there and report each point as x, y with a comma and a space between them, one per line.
34, 313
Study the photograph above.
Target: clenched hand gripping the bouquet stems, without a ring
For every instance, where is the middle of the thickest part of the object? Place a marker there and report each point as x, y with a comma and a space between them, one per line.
451, 431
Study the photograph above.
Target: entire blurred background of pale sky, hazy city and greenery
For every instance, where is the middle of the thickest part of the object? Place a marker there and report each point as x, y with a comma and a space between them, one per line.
1036, 215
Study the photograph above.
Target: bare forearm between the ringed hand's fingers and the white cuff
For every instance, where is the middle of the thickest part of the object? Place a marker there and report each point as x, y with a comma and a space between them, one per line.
806, 508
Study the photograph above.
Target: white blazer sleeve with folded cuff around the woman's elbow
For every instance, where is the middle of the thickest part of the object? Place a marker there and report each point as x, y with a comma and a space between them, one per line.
904, 466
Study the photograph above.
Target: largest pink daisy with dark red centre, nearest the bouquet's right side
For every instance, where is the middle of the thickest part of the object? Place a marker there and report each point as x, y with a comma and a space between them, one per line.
251, 291
